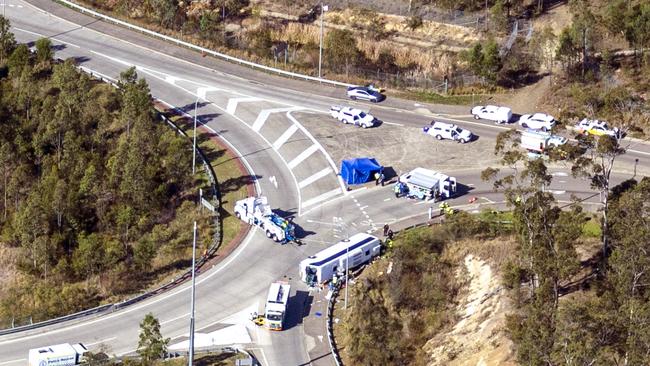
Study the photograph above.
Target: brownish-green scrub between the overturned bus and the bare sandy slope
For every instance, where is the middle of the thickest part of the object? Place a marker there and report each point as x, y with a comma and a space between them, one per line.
391, 317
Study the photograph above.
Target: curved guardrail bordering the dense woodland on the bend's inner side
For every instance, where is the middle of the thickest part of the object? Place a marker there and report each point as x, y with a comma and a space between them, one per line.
216, 241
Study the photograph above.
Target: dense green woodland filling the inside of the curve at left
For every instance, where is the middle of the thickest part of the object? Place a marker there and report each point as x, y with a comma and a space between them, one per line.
90, 185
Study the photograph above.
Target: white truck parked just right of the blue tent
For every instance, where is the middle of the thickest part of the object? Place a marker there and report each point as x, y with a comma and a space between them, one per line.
424, 183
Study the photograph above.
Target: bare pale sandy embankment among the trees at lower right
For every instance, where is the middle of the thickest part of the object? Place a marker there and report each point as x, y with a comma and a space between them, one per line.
478, 338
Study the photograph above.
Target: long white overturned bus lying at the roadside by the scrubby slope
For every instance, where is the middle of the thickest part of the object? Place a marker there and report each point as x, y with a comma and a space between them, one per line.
321, 267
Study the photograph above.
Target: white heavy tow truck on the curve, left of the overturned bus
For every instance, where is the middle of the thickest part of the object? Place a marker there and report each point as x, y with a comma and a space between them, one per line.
256, 211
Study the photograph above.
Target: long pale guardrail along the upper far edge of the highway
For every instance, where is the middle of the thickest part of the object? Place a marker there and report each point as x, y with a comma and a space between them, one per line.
198, 48
